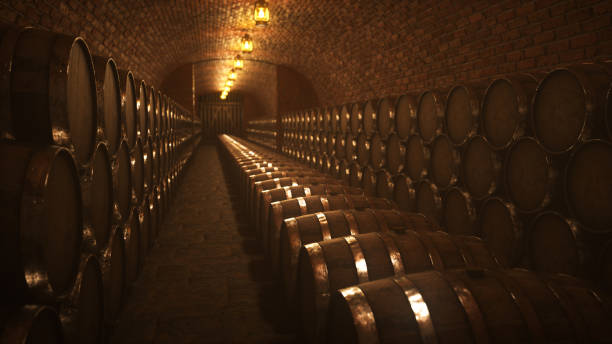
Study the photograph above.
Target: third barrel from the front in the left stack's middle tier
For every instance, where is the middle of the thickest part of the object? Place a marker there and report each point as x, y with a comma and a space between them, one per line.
122, 179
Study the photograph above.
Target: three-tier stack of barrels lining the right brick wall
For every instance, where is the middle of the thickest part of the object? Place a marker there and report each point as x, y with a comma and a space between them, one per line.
480, 159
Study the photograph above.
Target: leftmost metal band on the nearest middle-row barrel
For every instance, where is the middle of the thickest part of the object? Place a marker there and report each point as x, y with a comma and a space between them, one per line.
363, 317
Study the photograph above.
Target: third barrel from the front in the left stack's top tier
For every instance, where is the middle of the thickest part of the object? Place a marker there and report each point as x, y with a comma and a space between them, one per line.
129, 112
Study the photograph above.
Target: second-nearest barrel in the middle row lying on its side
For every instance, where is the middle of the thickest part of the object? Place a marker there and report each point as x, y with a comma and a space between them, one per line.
352, 260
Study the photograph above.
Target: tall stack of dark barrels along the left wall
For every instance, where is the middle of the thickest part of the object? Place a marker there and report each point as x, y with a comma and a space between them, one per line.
85, 166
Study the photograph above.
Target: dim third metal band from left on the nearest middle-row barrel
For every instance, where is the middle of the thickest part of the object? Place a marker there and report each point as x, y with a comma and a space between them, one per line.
470, 307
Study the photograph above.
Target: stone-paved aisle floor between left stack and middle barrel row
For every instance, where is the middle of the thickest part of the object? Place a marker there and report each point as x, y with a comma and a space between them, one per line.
205, 281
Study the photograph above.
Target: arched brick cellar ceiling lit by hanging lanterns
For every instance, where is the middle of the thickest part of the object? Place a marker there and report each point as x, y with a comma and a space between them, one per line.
348, 49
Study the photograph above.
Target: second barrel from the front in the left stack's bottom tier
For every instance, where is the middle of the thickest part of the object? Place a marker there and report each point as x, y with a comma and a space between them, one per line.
82, 312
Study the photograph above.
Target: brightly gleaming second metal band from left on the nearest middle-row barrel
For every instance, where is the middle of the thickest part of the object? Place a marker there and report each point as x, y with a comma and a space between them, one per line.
419, 308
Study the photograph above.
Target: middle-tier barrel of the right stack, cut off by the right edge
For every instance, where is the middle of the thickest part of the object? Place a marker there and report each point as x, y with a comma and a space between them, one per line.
588, 185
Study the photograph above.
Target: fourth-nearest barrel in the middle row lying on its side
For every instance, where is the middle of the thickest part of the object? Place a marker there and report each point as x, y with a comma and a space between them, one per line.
300, 206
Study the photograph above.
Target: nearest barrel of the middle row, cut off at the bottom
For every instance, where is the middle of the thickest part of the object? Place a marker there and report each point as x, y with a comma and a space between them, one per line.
513, 306
